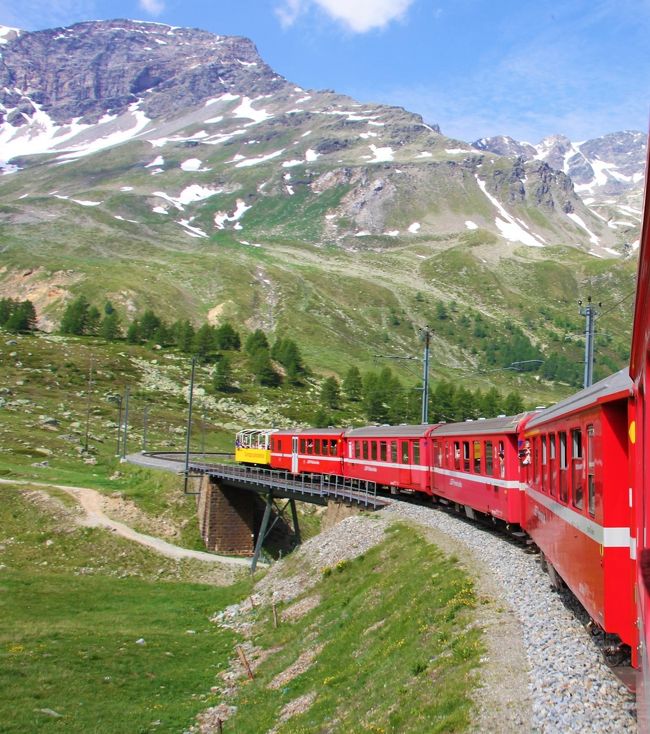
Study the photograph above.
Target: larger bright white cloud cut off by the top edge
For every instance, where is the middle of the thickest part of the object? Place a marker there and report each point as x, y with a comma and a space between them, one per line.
358, 16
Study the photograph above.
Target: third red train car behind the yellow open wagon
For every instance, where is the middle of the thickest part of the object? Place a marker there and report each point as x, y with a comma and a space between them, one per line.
476, 465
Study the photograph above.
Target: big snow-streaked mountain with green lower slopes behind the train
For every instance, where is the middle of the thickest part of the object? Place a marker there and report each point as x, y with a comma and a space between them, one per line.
173, 168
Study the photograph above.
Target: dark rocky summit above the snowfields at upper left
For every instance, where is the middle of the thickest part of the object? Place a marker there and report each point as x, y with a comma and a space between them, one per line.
93, 68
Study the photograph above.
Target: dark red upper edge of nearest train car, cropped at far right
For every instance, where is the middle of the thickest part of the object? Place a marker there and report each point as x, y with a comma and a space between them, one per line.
641, 326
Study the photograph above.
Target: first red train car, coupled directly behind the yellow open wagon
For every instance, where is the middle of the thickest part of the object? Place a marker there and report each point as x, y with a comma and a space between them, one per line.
311, 451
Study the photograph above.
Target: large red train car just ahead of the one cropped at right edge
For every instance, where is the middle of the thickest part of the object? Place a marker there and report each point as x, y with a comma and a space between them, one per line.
578, 497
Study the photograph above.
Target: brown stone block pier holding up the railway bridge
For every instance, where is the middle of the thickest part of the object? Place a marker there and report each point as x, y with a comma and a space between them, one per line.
226, 518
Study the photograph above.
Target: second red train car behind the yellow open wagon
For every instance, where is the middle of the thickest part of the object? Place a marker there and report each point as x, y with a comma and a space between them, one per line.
391, 456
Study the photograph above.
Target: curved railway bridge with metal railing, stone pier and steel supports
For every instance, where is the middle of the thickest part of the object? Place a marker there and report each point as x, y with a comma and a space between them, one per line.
240, 507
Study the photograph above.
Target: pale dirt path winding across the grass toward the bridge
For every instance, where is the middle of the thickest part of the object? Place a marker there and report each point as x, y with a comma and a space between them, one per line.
92, 502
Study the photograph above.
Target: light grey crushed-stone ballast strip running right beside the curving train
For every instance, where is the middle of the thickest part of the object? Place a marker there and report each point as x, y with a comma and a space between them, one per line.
571, 687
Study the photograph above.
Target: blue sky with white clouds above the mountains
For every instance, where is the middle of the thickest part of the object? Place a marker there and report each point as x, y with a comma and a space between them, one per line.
477, 68
